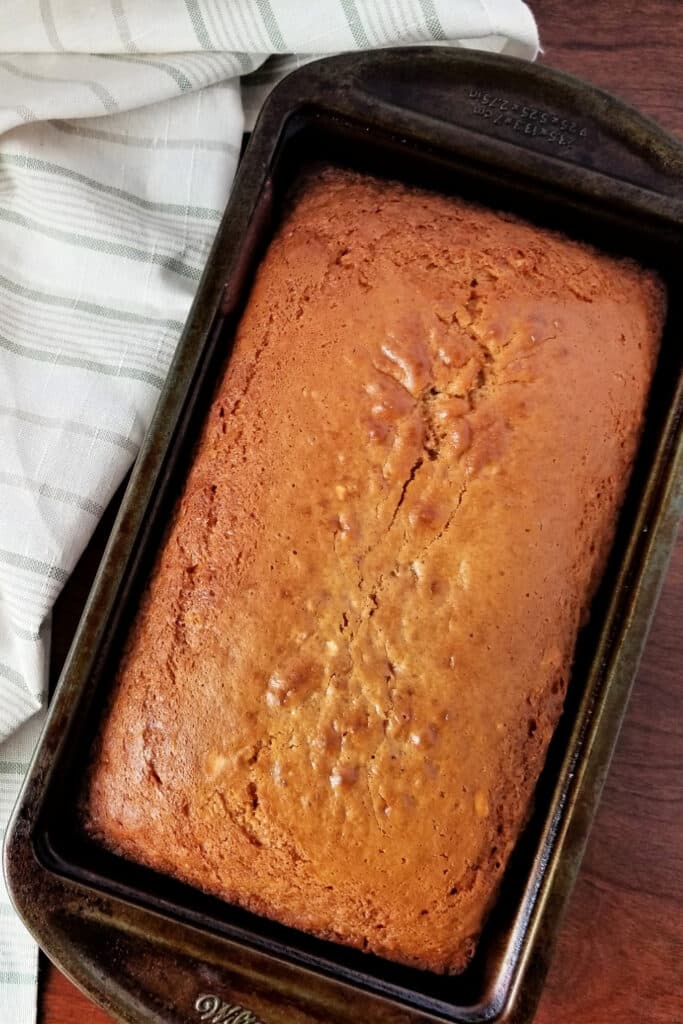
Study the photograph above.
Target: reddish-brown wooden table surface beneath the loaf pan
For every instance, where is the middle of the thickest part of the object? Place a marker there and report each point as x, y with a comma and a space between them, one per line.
620, 956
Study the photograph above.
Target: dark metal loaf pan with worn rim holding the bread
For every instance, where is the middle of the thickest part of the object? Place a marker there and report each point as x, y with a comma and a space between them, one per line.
510, 136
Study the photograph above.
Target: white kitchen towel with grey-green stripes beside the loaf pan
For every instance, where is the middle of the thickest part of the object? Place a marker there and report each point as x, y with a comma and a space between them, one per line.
120, 131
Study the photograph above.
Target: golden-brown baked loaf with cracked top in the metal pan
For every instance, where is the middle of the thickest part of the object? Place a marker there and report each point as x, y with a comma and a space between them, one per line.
337, 696
